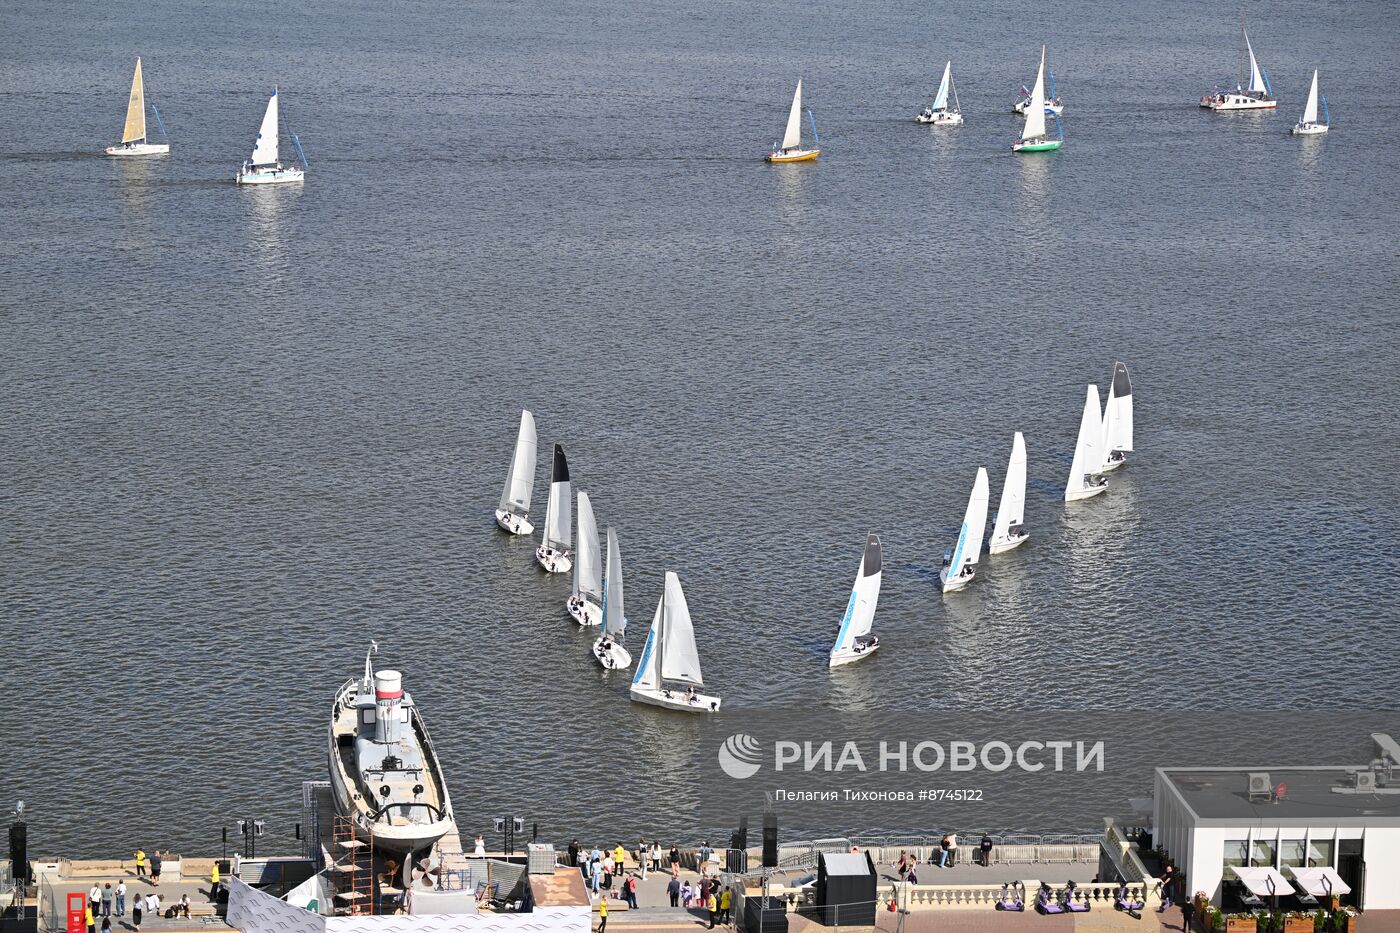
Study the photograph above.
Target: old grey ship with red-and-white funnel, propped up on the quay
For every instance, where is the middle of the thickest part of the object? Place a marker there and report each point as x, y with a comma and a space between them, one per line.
384, 773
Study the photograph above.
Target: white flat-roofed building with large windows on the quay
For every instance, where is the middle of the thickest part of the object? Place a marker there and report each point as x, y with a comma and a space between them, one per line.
1343, 822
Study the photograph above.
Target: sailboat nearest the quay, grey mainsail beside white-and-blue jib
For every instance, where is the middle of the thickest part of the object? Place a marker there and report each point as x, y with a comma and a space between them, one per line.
671, 658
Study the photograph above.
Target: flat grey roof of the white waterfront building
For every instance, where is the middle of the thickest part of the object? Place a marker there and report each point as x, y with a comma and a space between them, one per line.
1314, 796
